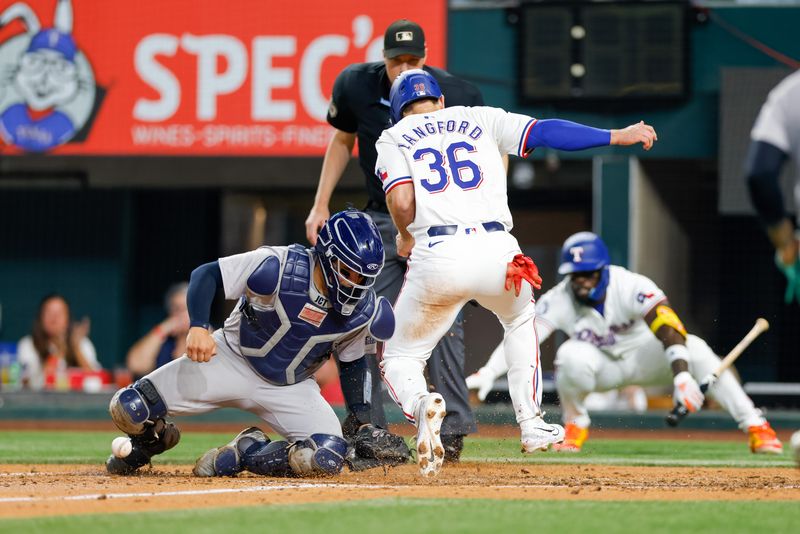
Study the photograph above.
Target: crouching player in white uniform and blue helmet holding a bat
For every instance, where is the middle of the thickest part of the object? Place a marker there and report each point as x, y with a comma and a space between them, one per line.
622, 332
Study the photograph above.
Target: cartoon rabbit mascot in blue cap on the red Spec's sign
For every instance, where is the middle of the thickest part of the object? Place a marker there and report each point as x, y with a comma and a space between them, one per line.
48, 93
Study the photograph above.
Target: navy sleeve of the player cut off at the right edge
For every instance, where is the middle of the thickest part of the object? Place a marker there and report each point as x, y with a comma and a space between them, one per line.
763, 169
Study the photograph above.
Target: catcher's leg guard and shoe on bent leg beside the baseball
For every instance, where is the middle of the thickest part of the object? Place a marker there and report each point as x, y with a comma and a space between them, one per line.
138, 411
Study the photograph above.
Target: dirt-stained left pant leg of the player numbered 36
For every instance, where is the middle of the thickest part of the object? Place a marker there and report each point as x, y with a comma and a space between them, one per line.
427, 305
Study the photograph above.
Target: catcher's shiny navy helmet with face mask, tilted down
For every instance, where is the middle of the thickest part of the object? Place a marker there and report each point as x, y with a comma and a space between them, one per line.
349, 241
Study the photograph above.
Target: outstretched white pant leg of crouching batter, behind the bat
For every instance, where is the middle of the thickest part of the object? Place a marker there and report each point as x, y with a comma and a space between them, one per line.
727, 390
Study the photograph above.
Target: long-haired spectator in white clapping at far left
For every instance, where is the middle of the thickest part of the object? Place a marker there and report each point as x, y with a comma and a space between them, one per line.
55, 344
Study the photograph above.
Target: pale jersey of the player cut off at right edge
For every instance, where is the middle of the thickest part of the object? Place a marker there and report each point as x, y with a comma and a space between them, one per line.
778, 122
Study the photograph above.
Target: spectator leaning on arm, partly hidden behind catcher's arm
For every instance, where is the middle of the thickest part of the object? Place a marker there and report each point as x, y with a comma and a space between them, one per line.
167, 340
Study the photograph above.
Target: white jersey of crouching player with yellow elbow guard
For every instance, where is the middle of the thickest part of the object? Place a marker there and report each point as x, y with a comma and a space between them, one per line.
619, 329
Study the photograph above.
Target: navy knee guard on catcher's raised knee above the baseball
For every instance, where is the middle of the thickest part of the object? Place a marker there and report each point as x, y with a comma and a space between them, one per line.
133, 406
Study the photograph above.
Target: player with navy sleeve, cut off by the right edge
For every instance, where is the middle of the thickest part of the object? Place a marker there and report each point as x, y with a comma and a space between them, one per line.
774, 139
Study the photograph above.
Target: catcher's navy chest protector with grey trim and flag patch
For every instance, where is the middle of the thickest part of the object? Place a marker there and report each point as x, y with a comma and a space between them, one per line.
285, 331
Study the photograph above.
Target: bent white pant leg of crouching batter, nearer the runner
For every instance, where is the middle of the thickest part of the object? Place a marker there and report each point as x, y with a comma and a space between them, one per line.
582, 368
